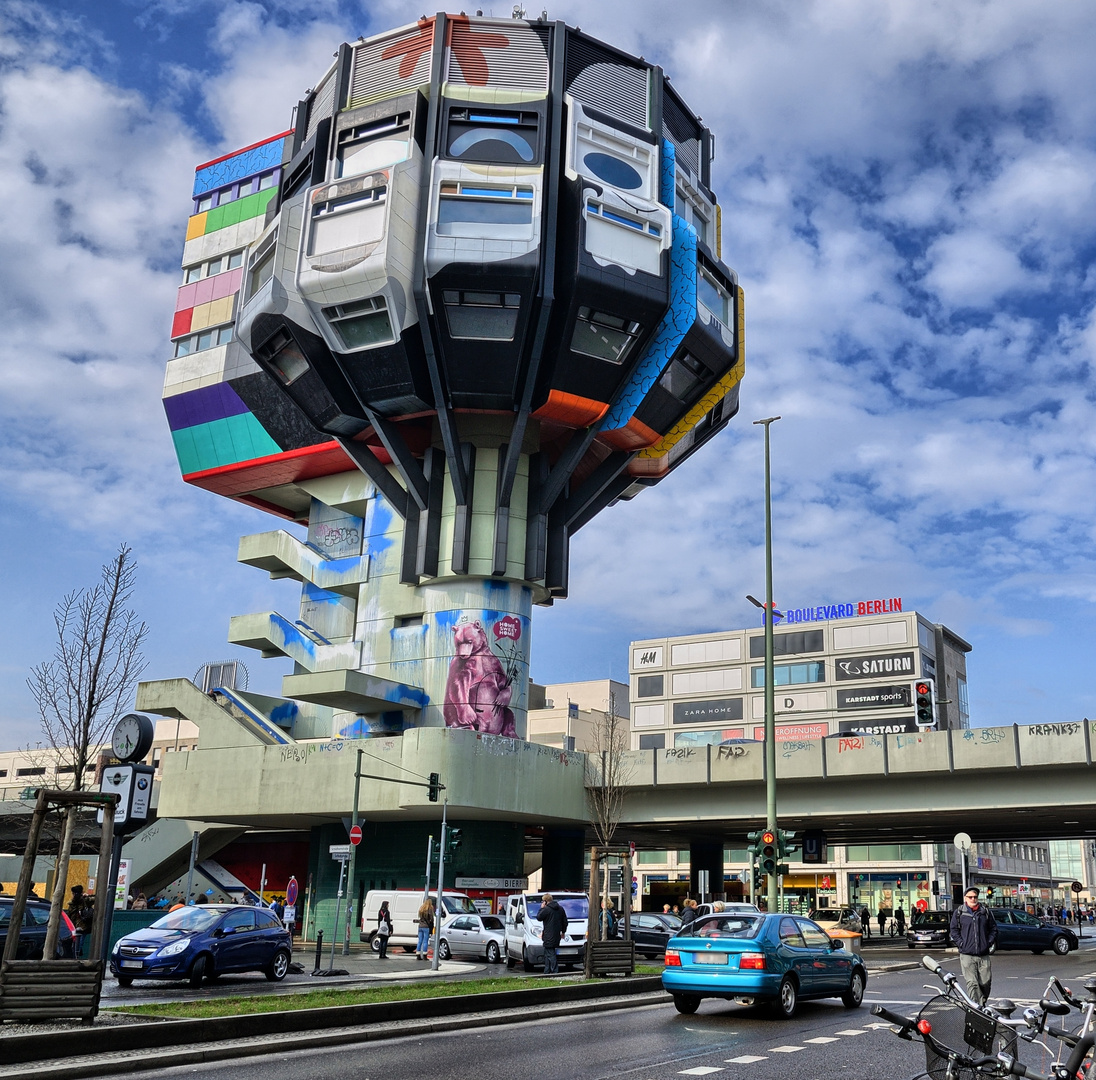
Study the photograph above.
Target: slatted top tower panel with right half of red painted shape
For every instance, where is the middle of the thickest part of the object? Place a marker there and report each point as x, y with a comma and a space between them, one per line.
490, 55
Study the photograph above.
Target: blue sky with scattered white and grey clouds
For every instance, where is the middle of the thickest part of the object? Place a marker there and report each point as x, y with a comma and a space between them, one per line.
908, 199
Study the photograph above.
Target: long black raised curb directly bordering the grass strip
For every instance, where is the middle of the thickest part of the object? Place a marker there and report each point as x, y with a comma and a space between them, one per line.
372, 1018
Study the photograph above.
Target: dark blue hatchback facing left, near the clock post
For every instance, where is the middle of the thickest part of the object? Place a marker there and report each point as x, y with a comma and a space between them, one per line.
204, 942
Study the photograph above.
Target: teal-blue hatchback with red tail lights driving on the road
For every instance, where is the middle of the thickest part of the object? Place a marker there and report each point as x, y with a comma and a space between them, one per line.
751, 959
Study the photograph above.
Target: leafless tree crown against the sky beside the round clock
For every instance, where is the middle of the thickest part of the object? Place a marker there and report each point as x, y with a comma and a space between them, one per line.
84, 690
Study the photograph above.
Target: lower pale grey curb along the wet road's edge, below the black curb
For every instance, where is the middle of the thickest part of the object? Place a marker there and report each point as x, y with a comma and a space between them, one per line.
182, 1055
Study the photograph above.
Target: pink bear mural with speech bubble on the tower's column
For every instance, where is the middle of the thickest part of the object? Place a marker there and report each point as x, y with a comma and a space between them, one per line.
478, 691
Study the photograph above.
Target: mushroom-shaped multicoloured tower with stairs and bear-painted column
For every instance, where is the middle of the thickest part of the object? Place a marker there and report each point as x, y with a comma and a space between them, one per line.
470, 300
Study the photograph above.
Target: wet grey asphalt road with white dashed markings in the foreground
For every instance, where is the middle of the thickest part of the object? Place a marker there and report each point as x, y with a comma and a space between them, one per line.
824, 1042
